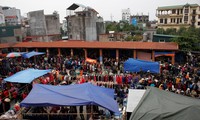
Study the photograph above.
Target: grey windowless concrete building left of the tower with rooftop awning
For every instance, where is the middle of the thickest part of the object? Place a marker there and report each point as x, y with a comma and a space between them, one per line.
43, 27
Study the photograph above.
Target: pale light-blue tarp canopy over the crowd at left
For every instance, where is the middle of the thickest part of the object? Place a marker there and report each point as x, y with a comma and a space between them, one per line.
26, 76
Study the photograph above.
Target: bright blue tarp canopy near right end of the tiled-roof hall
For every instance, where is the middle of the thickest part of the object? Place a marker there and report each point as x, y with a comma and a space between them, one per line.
135, 65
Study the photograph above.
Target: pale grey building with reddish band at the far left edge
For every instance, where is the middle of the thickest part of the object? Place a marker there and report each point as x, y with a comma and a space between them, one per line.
12, 16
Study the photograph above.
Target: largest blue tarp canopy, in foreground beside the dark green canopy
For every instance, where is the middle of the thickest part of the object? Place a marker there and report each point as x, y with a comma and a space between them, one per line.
71, 95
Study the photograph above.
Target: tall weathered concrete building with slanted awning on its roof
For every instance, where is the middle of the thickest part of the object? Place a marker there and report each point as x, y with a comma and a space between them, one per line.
83, 23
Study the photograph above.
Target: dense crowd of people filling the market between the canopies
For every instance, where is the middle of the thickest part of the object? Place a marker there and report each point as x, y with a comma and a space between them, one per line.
178, 78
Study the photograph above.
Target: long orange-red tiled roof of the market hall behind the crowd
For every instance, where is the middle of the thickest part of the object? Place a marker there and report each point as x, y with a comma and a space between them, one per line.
107, 45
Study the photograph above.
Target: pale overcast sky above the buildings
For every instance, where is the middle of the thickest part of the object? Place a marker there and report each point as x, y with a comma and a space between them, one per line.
105, 8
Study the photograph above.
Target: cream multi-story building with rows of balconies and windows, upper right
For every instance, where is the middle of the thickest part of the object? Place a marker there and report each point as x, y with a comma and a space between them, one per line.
179, 15
